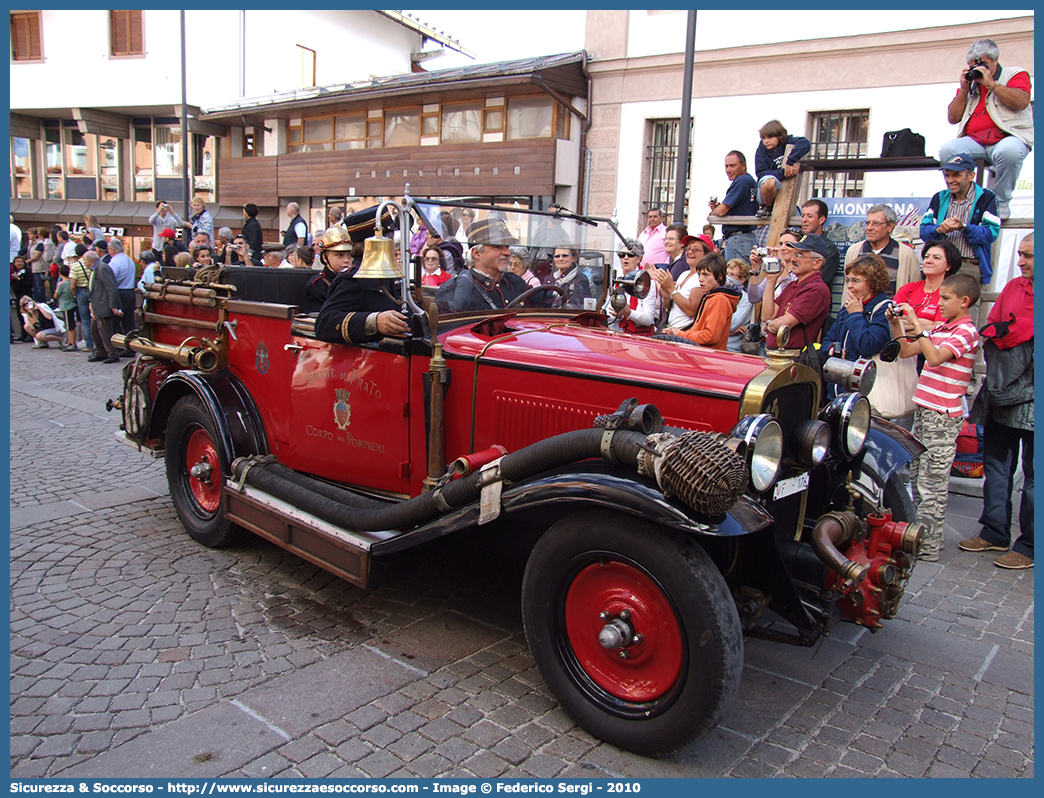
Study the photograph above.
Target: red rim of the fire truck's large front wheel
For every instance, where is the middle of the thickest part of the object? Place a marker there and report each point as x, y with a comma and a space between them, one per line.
653, 666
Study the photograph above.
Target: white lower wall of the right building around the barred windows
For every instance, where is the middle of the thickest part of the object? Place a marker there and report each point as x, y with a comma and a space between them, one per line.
725, 124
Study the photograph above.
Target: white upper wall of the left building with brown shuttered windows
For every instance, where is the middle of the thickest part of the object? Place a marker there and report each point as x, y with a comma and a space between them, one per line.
78, 72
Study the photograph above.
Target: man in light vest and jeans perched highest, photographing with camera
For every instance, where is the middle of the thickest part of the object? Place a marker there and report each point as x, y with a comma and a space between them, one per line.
992, 107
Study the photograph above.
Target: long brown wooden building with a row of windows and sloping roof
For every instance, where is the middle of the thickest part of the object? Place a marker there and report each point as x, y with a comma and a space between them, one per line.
511, 131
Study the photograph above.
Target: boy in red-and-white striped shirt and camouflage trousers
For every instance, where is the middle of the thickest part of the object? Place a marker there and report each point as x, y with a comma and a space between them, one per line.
950, 354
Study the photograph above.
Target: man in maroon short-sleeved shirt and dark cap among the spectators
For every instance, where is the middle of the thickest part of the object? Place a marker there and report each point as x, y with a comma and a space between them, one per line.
804, 304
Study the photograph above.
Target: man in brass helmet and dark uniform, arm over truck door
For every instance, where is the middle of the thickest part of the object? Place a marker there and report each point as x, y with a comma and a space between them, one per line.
357, 311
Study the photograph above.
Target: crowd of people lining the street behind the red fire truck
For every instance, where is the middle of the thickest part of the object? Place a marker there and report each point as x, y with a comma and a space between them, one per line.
78, 290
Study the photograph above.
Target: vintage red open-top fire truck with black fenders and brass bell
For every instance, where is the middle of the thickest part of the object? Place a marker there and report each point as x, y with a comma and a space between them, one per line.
673, 499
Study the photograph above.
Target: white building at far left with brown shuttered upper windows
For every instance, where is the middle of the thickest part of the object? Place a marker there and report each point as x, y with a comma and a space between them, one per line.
97, 99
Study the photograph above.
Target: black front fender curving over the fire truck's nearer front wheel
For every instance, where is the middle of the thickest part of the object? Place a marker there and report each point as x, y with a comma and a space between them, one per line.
590, 486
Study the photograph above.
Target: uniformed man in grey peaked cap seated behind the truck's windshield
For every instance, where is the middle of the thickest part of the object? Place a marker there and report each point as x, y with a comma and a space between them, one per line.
487, 284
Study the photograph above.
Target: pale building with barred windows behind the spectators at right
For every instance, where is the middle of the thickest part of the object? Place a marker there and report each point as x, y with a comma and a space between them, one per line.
843, 93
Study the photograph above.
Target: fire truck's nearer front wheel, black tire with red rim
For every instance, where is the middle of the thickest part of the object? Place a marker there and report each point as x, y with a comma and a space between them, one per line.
680, 680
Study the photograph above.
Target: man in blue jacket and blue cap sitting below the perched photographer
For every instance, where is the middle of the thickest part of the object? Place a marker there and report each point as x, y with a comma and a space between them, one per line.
966, 215
